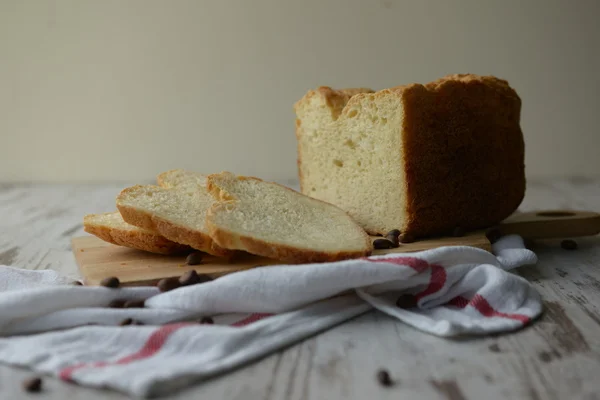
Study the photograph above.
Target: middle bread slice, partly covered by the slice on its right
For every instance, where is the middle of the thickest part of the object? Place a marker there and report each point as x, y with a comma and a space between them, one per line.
178, 215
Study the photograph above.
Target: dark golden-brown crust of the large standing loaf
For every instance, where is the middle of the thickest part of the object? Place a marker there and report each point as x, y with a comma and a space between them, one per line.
463, 150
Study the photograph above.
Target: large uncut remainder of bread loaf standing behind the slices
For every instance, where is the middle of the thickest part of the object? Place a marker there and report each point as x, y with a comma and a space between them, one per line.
424, 159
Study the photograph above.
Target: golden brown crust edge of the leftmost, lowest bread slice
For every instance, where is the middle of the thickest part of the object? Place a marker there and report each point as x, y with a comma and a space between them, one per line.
139, 240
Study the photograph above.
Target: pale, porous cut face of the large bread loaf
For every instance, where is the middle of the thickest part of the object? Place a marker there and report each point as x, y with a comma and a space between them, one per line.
346, 154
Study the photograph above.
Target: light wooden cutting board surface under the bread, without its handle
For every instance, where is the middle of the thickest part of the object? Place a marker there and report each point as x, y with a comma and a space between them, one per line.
97, 260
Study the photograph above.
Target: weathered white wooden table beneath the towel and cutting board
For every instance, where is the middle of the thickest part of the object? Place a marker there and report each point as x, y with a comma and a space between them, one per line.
558, 357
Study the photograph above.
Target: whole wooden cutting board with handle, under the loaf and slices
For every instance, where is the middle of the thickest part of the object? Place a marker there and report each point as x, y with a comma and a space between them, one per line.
97, 259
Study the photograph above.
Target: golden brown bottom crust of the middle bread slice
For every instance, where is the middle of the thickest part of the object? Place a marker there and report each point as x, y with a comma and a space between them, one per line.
174, 232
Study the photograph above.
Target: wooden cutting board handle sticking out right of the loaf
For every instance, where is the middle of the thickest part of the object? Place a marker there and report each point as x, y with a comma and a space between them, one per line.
552, 224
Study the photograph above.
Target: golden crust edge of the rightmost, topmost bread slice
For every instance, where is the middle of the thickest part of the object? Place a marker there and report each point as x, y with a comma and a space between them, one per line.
277, 251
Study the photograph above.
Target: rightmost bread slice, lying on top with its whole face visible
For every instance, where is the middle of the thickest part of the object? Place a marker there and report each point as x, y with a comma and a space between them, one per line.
274, 221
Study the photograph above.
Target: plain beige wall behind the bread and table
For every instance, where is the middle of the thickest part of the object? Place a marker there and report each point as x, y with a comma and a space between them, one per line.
122, 89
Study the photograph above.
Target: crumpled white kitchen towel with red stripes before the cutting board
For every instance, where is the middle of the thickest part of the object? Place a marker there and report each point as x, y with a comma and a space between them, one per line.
67, 331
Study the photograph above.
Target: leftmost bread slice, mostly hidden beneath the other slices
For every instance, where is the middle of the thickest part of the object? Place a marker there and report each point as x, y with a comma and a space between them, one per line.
111, 228
